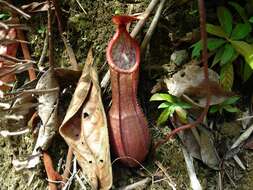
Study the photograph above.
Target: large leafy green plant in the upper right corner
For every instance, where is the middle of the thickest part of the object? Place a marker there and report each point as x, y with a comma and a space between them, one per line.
231, 40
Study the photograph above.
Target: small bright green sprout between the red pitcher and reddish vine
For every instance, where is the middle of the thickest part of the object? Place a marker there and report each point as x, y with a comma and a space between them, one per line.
170, 106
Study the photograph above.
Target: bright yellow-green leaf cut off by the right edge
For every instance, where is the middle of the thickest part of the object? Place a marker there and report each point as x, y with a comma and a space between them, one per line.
245, 49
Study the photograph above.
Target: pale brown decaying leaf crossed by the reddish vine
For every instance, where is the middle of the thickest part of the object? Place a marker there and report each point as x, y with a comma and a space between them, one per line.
190, 81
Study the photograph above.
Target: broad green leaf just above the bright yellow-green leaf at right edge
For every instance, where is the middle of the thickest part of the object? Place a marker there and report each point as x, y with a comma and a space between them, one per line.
240, 31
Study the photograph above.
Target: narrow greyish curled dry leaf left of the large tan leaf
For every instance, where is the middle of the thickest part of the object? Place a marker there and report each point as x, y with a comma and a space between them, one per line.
47, 111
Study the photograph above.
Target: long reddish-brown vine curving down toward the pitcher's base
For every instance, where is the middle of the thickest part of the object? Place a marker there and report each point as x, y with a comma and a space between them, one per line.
205, 62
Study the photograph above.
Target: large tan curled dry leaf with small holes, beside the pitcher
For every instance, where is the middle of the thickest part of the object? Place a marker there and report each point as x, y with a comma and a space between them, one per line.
85, 129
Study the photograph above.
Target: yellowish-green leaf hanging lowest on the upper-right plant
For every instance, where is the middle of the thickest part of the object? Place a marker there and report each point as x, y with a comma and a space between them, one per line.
227, 76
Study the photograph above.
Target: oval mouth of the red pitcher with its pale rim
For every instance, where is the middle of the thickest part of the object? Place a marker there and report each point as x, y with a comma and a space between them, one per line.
123, 53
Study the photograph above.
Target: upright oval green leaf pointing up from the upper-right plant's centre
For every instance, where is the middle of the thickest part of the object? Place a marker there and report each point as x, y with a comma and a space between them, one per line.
225, 19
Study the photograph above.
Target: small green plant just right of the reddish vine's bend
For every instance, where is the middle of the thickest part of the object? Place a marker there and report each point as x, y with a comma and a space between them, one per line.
227, 105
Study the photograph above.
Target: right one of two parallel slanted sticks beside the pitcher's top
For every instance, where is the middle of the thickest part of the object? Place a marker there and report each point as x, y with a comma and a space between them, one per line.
152, 26
